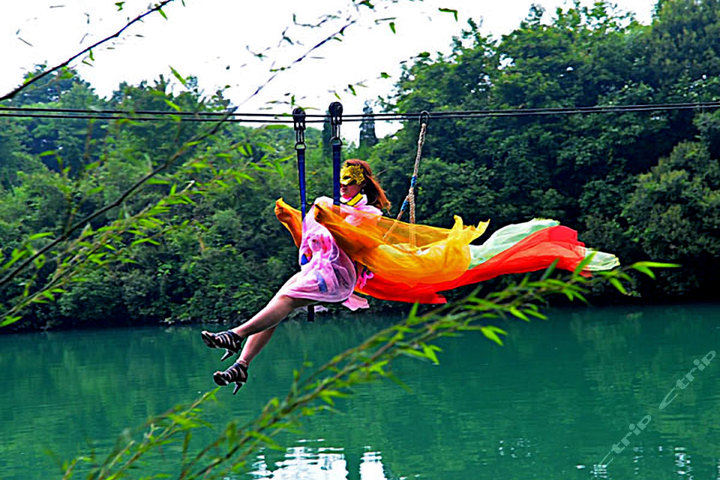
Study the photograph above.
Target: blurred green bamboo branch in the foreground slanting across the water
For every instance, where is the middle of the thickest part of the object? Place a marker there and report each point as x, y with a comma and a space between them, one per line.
320, 390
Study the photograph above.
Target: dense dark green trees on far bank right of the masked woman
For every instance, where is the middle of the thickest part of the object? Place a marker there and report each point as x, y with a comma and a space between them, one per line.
642, 185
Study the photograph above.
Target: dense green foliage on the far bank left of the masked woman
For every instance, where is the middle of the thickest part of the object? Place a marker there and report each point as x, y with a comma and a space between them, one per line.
225, 258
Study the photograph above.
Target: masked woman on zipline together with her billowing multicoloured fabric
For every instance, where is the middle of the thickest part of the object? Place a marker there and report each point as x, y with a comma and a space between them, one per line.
352, 248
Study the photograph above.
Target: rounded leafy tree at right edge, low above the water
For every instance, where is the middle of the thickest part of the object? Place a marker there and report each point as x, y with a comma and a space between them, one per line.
674, 214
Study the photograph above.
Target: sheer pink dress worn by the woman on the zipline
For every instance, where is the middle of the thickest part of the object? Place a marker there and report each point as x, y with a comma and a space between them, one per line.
326, 272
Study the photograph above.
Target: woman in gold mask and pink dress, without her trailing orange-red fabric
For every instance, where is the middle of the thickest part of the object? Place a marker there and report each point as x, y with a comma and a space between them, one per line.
327, 274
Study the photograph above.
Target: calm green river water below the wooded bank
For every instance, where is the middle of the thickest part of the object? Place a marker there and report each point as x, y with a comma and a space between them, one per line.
616, 393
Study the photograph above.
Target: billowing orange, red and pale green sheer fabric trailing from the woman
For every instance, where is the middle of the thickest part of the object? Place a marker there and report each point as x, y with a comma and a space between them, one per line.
415, 263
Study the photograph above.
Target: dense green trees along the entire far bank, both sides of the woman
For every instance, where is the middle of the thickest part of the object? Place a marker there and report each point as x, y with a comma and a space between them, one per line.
641, 184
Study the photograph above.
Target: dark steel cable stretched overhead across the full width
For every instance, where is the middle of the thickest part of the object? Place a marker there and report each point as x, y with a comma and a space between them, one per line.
286, 118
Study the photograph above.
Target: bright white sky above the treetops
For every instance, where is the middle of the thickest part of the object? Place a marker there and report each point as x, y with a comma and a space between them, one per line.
211, 39
